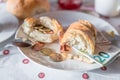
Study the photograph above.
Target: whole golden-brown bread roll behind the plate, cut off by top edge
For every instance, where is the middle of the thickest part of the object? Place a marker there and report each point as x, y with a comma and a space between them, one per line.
27, 8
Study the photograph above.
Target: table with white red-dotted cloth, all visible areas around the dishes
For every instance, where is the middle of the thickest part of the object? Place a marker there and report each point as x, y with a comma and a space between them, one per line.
15, 66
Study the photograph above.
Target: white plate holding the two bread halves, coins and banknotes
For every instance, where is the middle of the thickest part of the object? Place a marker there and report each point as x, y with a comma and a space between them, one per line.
66, 18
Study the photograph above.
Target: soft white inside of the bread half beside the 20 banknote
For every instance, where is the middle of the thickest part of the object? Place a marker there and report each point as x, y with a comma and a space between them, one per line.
78, 41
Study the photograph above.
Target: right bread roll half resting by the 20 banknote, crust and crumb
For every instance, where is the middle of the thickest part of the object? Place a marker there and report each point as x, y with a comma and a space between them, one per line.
81, 34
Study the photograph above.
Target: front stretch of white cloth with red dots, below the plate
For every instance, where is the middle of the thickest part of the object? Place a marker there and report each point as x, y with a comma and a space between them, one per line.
15, 66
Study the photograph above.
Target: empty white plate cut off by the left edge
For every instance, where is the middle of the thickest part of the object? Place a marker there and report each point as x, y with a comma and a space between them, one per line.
8, 24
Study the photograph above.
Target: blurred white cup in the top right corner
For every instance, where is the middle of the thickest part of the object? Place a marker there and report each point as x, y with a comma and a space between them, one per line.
108, 7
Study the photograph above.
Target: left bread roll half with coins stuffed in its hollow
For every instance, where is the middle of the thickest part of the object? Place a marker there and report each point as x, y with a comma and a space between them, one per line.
44, 29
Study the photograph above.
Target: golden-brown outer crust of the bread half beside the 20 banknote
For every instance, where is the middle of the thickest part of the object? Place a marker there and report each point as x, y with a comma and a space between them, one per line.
87, 34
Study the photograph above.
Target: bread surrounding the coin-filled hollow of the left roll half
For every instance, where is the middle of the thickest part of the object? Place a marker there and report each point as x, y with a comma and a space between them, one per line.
31, 22
